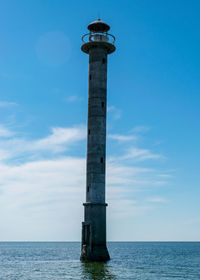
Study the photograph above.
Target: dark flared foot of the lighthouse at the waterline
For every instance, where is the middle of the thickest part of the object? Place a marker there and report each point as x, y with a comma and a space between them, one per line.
96, 253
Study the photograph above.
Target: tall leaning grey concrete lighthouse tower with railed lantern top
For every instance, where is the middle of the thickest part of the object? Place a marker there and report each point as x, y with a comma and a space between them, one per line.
98, 44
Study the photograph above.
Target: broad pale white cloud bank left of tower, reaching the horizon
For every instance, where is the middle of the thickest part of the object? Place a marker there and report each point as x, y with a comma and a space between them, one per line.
34, 193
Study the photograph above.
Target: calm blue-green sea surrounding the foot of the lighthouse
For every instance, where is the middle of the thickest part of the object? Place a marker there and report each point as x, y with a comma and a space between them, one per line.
129, 260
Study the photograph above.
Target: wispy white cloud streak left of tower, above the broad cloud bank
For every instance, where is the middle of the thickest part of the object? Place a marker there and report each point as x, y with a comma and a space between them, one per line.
58, 141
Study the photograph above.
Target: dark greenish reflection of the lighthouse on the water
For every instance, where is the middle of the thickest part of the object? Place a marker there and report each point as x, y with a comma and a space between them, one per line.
97, 271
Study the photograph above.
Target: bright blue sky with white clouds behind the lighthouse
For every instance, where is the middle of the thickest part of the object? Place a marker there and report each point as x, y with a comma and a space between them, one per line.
153, 119
